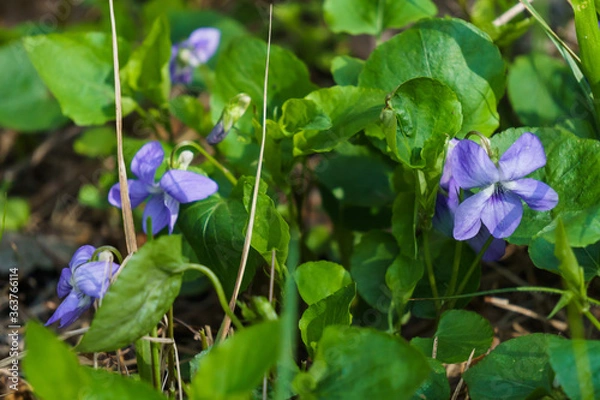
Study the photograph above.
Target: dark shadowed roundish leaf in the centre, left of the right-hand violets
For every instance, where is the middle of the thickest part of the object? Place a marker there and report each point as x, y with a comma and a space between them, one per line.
357, 176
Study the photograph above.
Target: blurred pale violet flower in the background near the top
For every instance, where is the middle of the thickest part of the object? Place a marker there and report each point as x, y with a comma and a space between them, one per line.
197, 49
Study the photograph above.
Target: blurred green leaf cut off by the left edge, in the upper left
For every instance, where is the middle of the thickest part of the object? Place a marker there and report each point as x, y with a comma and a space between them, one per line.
26, 104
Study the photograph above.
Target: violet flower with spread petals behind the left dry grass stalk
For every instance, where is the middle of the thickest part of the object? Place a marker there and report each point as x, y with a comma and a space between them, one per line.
175, 187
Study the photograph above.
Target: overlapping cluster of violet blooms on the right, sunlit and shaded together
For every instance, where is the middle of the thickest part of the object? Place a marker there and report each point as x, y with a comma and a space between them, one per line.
496, 209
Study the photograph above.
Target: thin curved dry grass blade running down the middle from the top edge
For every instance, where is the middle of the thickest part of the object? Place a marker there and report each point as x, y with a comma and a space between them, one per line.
246, 249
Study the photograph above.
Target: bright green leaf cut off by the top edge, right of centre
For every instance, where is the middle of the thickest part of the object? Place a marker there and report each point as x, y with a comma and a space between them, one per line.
373, 16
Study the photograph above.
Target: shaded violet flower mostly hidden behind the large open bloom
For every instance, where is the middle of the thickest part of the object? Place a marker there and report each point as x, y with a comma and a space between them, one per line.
445, 210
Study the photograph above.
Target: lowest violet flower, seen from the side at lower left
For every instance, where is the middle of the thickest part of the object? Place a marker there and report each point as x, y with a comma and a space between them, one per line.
84, 281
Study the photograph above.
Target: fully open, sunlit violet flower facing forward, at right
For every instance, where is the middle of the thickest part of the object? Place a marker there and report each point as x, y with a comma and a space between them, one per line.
501, 187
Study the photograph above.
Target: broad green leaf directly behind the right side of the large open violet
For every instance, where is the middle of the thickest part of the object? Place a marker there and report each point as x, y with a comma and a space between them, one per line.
572, 170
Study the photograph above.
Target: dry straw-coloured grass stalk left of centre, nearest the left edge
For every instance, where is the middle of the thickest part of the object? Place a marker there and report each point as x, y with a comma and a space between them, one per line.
125, 203
